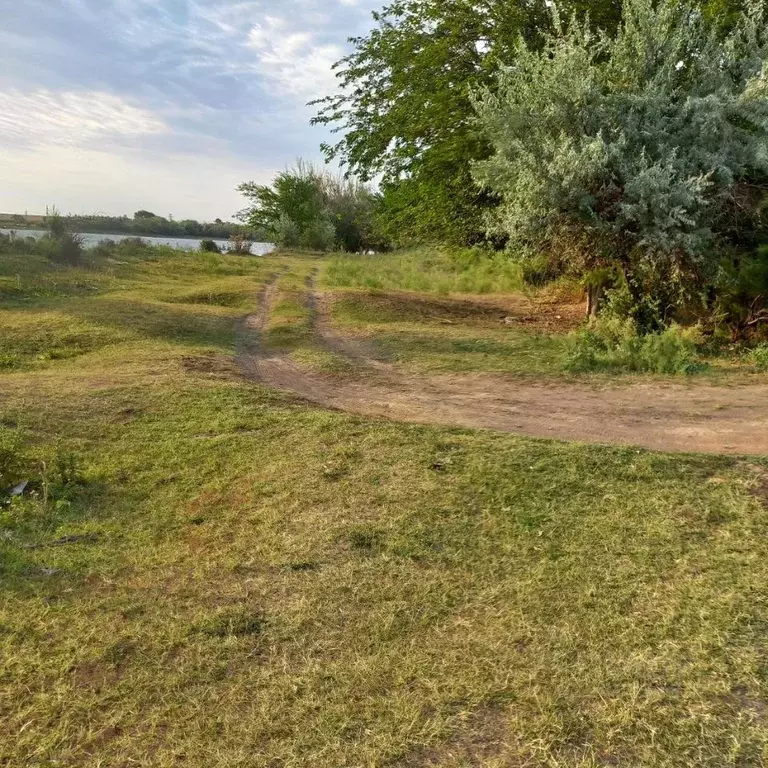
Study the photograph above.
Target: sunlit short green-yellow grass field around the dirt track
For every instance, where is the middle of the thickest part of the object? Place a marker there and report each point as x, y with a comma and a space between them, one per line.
215, 574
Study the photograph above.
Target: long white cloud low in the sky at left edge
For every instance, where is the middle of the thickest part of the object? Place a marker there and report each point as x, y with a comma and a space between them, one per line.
71, 118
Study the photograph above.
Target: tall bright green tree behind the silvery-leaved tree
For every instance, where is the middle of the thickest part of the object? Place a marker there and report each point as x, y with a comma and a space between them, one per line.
403, 110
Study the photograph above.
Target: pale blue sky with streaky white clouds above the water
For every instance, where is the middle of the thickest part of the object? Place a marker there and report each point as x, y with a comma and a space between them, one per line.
111, 106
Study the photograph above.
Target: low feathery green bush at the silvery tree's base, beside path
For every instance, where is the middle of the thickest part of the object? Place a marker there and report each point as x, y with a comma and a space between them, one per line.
613, 344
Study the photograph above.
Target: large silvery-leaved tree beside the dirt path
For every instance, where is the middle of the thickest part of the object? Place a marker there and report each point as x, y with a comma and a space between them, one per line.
633, 156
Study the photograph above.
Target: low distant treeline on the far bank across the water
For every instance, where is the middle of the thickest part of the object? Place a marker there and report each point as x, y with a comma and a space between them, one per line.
143, 223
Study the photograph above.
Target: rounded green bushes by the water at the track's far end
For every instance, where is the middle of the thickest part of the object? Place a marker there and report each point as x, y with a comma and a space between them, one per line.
313, 209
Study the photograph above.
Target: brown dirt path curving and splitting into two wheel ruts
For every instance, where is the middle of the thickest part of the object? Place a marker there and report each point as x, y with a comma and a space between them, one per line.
676, 417
